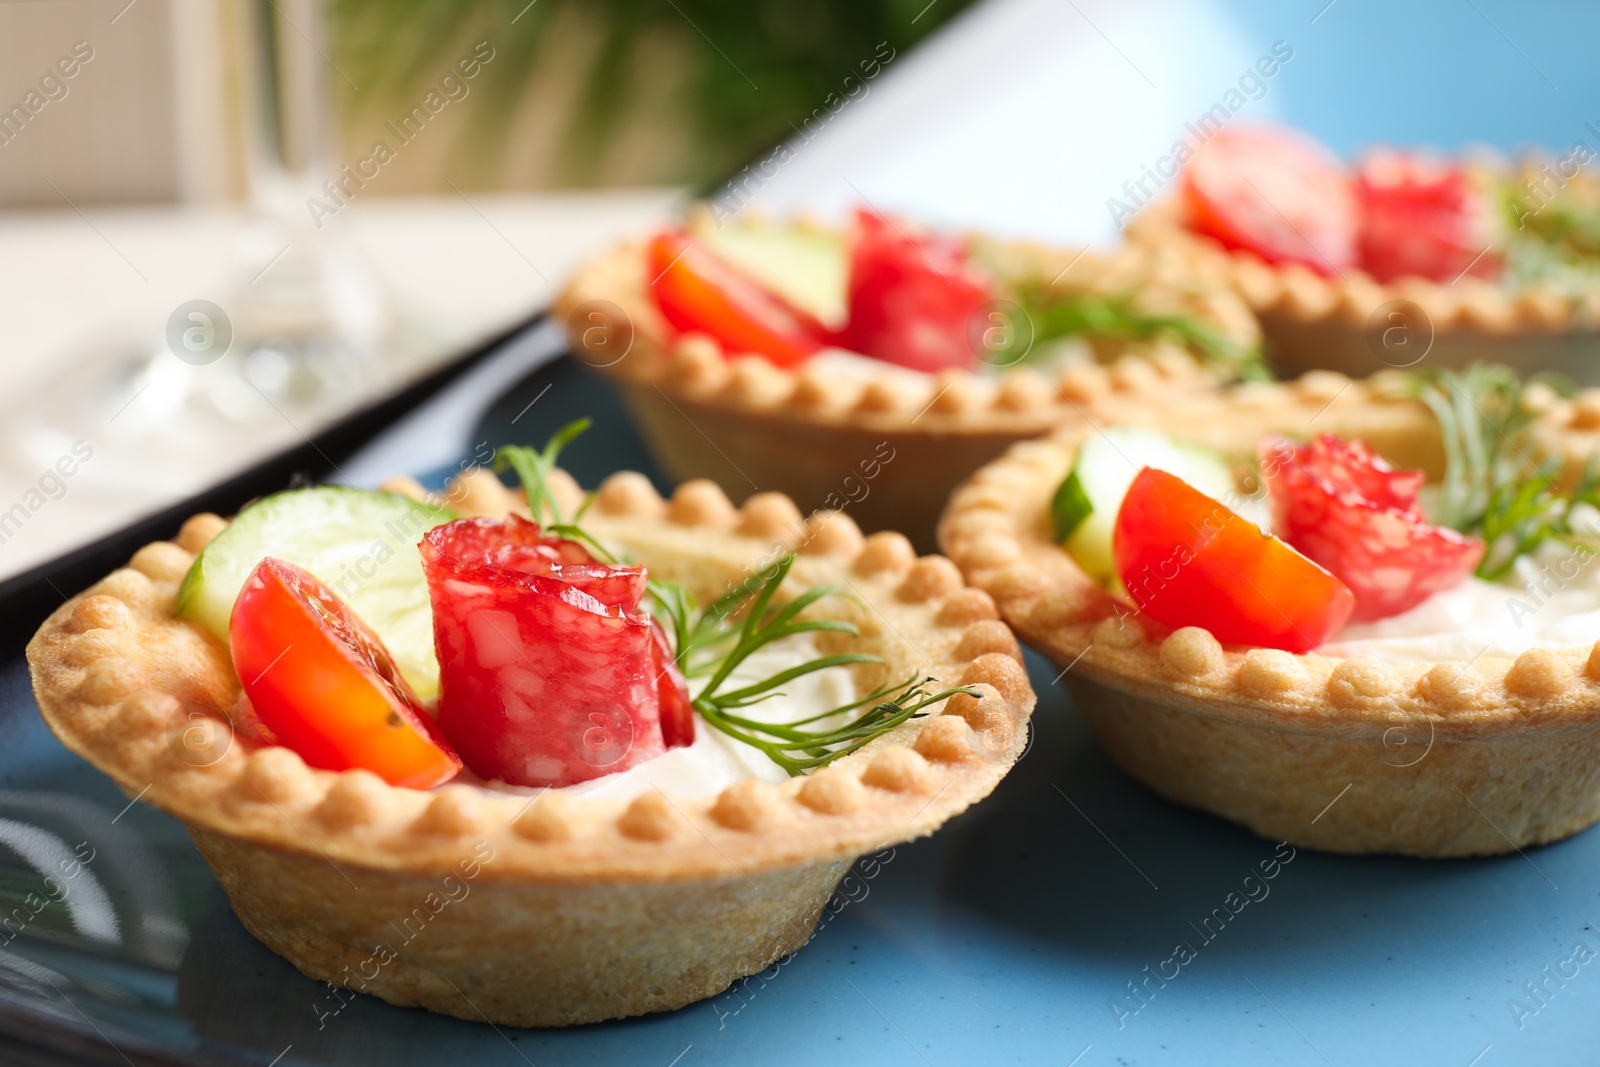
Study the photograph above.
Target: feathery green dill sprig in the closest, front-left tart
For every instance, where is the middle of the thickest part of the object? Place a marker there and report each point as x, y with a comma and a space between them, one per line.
714, 642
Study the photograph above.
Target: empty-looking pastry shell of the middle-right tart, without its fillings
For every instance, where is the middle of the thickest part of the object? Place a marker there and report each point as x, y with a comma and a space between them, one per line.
1348, 756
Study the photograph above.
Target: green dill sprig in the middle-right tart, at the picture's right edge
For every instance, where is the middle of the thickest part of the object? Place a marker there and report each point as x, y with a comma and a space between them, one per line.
1502, 484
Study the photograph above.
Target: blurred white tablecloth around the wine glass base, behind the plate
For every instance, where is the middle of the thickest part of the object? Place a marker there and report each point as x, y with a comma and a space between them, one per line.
74, 287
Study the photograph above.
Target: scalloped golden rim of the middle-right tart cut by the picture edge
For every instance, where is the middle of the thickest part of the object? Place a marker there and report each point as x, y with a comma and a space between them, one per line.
1543, 690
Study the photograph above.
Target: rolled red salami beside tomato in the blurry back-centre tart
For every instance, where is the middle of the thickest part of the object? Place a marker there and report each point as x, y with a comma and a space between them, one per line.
911, 298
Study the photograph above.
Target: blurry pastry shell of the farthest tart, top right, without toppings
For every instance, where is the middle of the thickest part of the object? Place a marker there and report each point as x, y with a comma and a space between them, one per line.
1348, 322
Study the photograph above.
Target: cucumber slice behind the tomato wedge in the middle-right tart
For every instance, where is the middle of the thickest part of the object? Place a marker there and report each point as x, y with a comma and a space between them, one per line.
1087, 503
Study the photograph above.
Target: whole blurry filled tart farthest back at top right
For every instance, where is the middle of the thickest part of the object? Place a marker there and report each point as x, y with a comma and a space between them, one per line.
1396, 258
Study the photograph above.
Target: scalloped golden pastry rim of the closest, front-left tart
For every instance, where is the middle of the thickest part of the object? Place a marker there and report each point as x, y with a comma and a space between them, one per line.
903, 786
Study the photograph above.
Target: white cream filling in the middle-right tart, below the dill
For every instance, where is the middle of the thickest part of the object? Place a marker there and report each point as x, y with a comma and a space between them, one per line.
1551, 601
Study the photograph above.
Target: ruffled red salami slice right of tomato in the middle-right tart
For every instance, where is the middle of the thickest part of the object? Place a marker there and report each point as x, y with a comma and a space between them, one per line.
1350, 511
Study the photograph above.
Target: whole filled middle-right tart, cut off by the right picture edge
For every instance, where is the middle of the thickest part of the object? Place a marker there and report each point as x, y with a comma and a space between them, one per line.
1358, 617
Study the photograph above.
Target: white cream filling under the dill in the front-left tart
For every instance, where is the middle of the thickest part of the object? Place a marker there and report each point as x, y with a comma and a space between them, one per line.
716, 761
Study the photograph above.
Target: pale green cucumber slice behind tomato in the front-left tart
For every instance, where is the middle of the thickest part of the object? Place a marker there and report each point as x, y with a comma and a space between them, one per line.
361, 543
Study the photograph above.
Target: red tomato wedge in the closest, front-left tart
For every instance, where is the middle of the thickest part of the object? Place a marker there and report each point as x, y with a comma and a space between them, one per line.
326, 687
